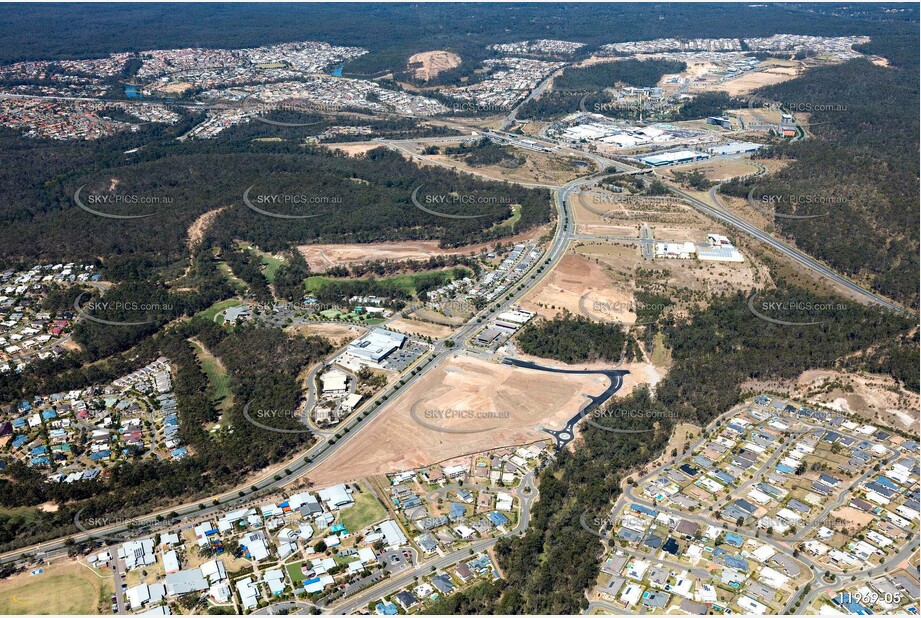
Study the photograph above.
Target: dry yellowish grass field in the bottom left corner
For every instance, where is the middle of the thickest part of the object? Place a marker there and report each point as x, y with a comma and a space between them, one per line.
68, 588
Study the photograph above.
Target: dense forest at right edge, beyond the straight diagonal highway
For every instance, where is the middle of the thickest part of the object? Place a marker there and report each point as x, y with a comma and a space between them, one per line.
861, 172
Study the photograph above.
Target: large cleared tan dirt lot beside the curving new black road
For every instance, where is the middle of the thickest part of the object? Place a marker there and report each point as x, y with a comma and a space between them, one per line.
520, 400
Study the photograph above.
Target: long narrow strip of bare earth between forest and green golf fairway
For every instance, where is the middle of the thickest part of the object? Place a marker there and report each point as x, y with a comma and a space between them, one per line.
322, 256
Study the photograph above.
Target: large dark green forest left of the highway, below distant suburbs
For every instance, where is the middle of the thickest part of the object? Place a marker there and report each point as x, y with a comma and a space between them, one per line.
352, 199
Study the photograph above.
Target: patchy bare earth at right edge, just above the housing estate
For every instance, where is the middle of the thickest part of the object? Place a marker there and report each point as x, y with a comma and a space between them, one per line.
873, 397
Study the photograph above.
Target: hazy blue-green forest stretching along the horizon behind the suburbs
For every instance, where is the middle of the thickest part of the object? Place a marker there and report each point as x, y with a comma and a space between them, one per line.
394, 32
